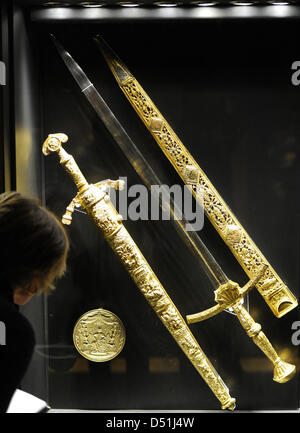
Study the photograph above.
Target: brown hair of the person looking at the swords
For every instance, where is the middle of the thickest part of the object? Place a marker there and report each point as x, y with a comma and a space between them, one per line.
33, 242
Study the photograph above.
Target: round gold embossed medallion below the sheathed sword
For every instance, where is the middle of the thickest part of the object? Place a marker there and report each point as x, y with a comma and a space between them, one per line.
99, 335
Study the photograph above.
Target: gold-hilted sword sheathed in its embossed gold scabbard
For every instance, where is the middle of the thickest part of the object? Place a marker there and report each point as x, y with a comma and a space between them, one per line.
93, 198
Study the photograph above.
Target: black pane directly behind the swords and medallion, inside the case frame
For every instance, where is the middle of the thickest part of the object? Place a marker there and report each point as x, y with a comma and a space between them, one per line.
237, 114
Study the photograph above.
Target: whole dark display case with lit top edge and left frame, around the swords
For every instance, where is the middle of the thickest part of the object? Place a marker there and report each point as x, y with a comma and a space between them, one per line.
224, 76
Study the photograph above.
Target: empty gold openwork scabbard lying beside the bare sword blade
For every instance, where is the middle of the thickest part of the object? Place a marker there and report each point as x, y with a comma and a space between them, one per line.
274, 291
